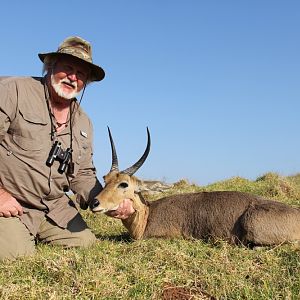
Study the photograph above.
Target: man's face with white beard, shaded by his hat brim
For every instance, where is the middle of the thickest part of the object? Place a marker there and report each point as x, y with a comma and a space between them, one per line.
69, 77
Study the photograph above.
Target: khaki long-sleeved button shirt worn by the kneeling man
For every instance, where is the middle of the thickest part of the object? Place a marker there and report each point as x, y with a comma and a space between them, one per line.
25, 143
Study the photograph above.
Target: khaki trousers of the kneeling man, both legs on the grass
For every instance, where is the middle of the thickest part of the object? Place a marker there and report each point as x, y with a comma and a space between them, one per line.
16, 240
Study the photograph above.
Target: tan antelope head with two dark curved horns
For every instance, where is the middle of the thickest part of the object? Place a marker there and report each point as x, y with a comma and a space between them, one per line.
120, 184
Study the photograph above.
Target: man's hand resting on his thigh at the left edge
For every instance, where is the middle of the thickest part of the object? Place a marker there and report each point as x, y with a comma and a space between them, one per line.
9, 206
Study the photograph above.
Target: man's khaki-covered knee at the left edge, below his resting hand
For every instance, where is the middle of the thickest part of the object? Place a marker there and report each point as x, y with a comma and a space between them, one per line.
15, 239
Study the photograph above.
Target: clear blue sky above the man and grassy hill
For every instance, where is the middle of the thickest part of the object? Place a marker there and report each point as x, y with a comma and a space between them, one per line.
217, 82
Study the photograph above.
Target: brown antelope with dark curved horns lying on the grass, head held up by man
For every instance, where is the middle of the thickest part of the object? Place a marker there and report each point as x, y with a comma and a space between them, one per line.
237, 217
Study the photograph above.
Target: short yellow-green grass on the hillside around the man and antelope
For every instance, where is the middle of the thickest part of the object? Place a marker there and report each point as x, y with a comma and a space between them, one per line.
118, 268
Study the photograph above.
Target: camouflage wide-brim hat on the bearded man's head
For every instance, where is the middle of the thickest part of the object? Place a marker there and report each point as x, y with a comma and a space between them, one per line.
80, 49
